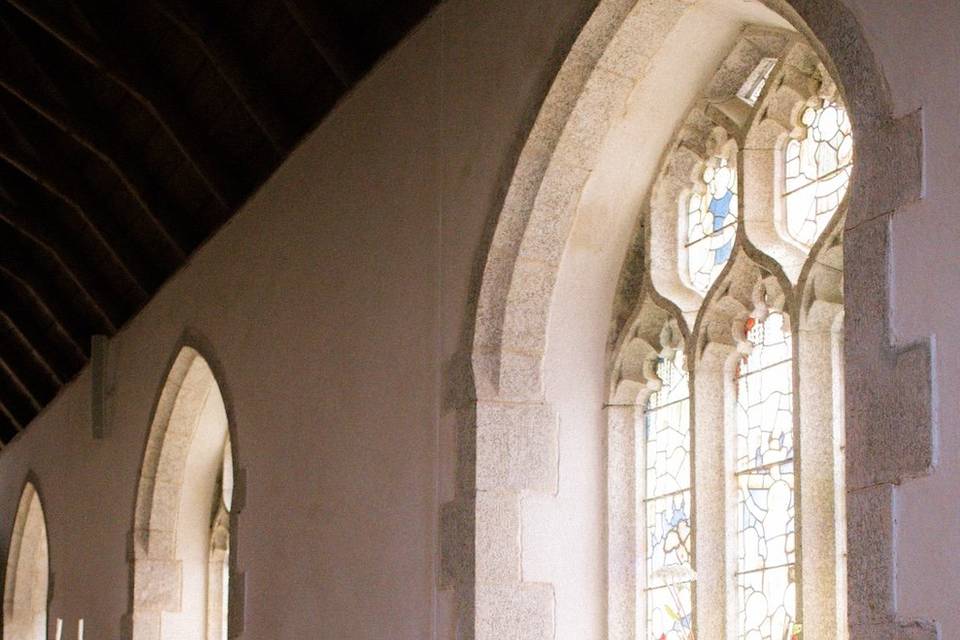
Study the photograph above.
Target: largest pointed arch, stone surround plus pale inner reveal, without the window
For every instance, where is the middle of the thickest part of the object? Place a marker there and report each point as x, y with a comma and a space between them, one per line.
554, 224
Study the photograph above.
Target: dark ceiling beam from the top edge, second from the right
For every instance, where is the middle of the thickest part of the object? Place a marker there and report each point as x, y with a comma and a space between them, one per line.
213, 37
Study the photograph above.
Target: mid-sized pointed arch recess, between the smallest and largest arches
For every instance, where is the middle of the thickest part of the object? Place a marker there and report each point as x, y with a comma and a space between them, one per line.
182, 521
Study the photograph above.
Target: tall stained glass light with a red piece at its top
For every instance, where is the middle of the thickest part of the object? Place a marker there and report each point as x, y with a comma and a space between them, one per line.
765, 473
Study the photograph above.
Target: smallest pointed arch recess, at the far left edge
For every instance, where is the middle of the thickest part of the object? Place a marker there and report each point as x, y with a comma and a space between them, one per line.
26, 587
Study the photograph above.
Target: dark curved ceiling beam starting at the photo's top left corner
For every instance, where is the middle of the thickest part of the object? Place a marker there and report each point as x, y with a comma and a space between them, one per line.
142, 86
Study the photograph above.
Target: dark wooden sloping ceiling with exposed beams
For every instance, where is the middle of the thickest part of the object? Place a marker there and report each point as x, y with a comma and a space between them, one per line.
130, 130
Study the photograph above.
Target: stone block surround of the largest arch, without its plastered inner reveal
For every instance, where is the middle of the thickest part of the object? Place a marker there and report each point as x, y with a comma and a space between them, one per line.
888, 405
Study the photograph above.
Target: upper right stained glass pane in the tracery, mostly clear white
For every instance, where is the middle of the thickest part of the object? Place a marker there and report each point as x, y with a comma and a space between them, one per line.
817, 171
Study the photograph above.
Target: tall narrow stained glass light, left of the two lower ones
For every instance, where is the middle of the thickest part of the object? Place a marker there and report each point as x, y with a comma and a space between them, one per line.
667, 504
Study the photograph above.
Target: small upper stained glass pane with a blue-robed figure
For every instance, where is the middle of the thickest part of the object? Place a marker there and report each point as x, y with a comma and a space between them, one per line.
711, 225
